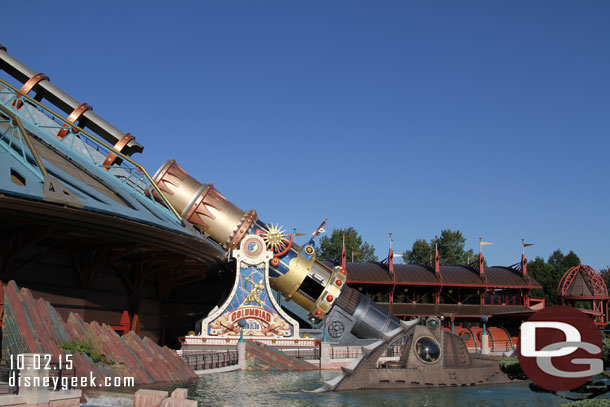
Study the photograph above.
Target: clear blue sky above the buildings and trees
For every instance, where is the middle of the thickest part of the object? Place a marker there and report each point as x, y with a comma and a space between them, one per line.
390, 116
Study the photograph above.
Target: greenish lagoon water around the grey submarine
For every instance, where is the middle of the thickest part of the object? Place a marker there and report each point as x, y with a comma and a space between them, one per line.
283, 389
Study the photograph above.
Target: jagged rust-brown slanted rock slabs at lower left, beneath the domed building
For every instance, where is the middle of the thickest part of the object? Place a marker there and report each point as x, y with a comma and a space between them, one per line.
34, 326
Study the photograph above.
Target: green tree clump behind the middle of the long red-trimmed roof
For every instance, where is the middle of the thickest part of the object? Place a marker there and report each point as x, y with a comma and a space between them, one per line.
450, 248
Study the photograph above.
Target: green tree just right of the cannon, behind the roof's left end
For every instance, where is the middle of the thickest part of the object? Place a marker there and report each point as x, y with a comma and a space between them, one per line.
330, 246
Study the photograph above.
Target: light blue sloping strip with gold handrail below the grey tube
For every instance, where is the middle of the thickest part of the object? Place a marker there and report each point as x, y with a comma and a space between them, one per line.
89, 146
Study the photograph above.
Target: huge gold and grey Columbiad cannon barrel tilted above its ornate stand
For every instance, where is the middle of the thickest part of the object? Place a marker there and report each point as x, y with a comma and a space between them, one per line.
294, 271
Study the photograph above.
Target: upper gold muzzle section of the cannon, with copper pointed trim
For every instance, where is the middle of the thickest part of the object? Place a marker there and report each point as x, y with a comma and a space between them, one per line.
203, 206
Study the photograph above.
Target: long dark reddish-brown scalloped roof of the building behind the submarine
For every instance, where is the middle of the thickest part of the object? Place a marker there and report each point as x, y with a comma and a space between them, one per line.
419, 274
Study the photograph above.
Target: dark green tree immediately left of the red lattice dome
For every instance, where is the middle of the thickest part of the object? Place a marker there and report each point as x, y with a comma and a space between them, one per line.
549, 273
